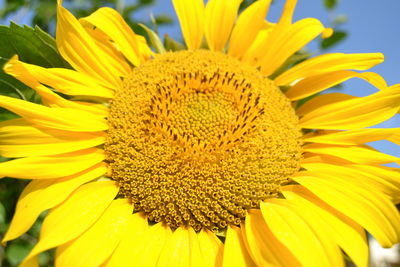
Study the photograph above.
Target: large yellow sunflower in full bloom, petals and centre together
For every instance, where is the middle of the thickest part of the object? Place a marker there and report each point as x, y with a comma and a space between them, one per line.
201, 157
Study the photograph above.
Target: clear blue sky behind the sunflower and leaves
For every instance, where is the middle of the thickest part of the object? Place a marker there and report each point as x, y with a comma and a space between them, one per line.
373, 26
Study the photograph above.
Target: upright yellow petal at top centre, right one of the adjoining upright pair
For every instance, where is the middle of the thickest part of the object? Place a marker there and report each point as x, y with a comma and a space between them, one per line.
220, 16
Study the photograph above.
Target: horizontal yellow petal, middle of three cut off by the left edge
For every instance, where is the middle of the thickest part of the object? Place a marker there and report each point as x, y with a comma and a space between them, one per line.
20, 139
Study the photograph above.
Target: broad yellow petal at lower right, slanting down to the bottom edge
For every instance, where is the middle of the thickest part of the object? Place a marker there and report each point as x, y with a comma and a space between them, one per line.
301, 232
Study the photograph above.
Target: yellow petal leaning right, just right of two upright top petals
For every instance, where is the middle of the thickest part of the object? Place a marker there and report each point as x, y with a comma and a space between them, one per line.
248, 25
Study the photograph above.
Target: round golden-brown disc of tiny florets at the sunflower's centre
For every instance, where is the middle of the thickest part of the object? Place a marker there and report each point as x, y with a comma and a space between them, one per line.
198, 138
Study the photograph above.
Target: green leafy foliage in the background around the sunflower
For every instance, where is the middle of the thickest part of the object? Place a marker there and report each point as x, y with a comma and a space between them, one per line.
34, 45
